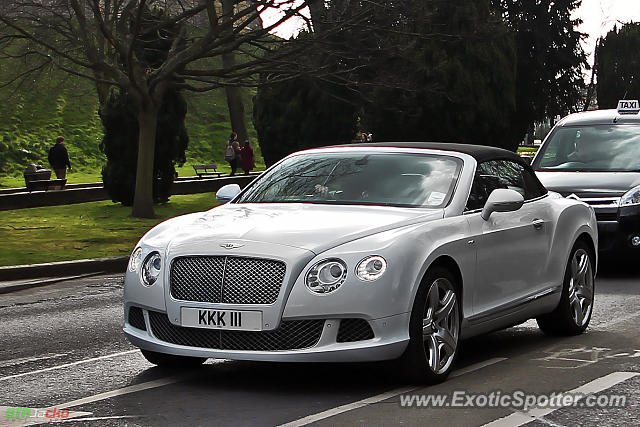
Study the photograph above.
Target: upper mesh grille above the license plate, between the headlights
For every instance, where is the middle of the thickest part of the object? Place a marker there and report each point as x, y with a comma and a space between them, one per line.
231, 280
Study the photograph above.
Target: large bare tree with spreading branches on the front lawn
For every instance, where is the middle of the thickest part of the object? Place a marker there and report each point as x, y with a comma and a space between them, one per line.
214, 44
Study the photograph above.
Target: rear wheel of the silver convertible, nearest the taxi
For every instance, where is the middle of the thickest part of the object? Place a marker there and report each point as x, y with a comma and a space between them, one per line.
573, 314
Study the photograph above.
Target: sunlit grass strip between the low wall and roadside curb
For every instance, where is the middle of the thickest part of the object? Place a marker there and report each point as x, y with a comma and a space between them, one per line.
85, 230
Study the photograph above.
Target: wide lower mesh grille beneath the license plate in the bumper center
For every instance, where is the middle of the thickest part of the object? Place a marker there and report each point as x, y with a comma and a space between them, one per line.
291, 335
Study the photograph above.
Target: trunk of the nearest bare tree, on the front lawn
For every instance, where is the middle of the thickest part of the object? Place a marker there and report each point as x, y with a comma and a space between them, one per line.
143, 198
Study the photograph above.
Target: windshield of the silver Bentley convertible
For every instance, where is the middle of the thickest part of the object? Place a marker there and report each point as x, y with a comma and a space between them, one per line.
358, 178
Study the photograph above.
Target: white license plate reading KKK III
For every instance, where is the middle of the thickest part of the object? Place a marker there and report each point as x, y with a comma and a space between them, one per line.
222, 319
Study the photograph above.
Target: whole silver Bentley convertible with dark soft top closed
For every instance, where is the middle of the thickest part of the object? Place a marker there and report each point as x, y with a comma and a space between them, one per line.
362, 253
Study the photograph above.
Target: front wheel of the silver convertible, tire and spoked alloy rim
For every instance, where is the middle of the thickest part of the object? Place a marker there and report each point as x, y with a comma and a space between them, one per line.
434, 329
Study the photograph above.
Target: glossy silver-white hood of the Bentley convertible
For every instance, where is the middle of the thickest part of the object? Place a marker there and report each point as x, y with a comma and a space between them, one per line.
316, 228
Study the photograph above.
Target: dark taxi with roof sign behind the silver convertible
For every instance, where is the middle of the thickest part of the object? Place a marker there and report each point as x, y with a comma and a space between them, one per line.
595, 157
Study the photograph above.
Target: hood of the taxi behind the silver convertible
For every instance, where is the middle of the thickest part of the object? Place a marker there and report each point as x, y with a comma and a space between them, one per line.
590, 184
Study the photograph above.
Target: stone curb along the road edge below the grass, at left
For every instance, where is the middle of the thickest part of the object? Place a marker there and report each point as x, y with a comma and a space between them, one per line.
64, 269
